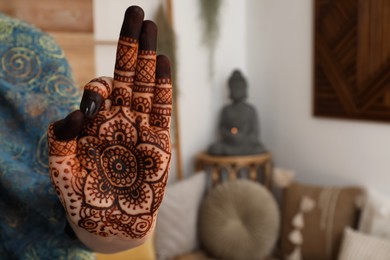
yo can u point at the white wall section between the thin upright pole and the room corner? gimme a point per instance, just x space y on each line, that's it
201 98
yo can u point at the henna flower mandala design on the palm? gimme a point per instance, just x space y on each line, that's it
123 168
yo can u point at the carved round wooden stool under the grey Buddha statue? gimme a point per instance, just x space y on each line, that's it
234 164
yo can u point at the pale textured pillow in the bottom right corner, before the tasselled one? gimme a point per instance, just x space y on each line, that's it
359 246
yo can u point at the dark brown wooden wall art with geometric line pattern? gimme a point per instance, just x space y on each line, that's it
352 59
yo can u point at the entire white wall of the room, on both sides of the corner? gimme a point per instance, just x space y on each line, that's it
271 41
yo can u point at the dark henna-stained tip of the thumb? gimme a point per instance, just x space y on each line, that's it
69 127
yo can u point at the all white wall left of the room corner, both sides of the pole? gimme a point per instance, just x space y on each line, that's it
200 97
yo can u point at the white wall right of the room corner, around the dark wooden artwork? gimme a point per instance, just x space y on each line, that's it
321 151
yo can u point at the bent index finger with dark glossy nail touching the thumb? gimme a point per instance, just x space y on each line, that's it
95 93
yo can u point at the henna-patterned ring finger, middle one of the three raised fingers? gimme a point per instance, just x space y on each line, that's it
145 73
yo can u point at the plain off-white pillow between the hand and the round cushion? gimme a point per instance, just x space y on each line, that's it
176 229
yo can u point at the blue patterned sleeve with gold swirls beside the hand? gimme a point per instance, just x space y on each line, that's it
36 88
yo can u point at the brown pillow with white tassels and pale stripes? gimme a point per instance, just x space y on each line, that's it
314 219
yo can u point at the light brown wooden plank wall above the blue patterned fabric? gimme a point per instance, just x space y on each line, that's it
70 22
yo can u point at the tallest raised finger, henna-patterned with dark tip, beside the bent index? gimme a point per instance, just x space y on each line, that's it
126 56
